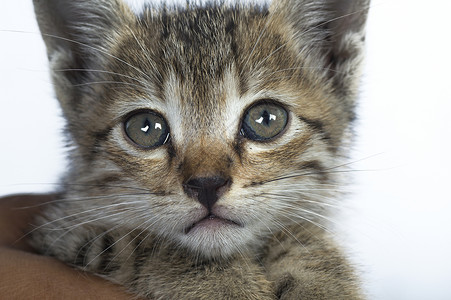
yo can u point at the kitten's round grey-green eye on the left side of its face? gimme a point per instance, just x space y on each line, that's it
147 129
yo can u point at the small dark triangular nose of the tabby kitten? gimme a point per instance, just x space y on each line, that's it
207 190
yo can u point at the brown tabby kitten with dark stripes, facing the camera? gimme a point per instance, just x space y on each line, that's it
204 144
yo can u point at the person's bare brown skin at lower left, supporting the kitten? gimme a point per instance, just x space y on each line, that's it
27 275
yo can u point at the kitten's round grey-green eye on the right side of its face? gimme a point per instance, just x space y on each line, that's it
264 121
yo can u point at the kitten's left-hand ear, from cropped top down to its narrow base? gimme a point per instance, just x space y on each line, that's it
78 35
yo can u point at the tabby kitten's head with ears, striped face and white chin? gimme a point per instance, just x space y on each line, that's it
210 126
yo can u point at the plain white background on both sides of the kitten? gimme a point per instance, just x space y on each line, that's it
397 223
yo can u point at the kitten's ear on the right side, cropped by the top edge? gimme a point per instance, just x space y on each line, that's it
333 28
